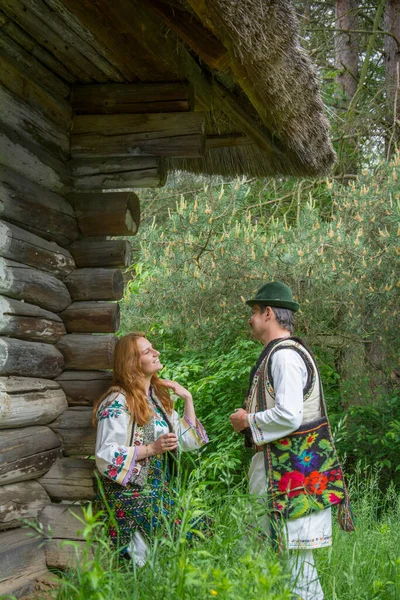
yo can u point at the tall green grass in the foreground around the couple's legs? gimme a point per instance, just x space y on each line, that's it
235 563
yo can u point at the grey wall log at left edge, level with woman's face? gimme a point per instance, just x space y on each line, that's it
29 359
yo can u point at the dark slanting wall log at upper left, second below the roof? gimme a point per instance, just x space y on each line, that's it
58 110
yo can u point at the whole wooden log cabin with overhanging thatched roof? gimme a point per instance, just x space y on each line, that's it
98 96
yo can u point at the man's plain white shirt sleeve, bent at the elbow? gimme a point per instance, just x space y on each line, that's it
289 376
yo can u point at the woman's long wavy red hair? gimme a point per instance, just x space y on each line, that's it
129 379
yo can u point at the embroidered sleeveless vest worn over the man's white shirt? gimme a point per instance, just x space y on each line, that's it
311 391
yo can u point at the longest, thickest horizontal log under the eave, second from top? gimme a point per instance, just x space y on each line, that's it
164 134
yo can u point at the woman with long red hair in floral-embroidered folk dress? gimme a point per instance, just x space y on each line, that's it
138 436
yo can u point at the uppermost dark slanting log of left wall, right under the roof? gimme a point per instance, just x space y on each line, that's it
29 64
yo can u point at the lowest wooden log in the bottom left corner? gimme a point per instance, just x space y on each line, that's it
22 560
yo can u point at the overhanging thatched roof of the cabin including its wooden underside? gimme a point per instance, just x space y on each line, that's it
243 58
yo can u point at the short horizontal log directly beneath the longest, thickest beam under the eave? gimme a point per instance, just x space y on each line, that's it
94 174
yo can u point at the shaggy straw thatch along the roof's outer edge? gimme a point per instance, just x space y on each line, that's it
270 68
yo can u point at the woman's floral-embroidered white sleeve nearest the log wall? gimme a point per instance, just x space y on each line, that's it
115 457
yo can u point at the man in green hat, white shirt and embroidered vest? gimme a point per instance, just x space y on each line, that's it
286 378
